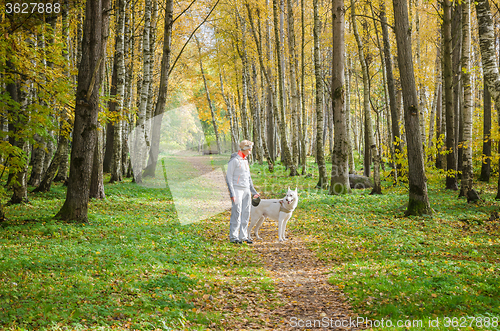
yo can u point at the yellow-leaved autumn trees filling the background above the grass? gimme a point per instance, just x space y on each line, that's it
261 71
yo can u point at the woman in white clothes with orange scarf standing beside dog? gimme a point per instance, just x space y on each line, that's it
240 190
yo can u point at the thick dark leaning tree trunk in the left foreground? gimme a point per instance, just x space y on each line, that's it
95 33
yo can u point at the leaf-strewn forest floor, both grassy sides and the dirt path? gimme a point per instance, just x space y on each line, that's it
135 266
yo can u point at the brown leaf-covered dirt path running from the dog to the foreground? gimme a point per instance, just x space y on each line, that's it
302 281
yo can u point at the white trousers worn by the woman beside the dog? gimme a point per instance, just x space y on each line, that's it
240 214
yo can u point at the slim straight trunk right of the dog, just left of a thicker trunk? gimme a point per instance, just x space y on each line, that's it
320 156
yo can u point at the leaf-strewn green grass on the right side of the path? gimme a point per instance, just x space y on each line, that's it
399 268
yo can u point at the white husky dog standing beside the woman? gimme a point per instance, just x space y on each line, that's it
276 209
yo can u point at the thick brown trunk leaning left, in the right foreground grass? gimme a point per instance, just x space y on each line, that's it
418 203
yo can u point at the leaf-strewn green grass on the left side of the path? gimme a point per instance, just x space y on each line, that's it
134 266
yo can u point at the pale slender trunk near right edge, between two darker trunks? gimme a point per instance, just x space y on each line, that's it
467 109
